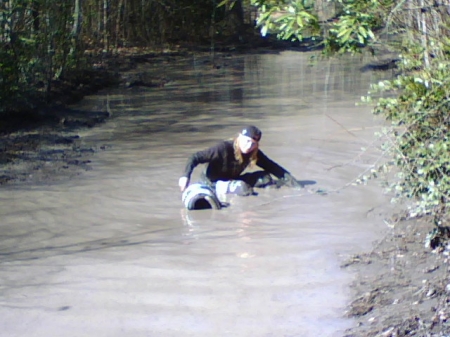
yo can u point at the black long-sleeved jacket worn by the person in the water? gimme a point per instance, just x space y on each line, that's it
222 164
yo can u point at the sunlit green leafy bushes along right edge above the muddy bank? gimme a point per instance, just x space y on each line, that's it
417 103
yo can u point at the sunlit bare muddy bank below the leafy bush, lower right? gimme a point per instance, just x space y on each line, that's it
403 287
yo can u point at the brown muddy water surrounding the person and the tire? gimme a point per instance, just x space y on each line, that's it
113 253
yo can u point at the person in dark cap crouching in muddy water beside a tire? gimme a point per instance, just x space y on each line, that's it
228 159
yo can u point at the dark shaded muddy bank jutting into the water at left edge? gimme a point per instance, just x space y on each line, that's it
38 150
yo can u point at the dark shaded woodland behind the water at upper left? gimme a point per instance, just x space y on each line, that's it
42 41
